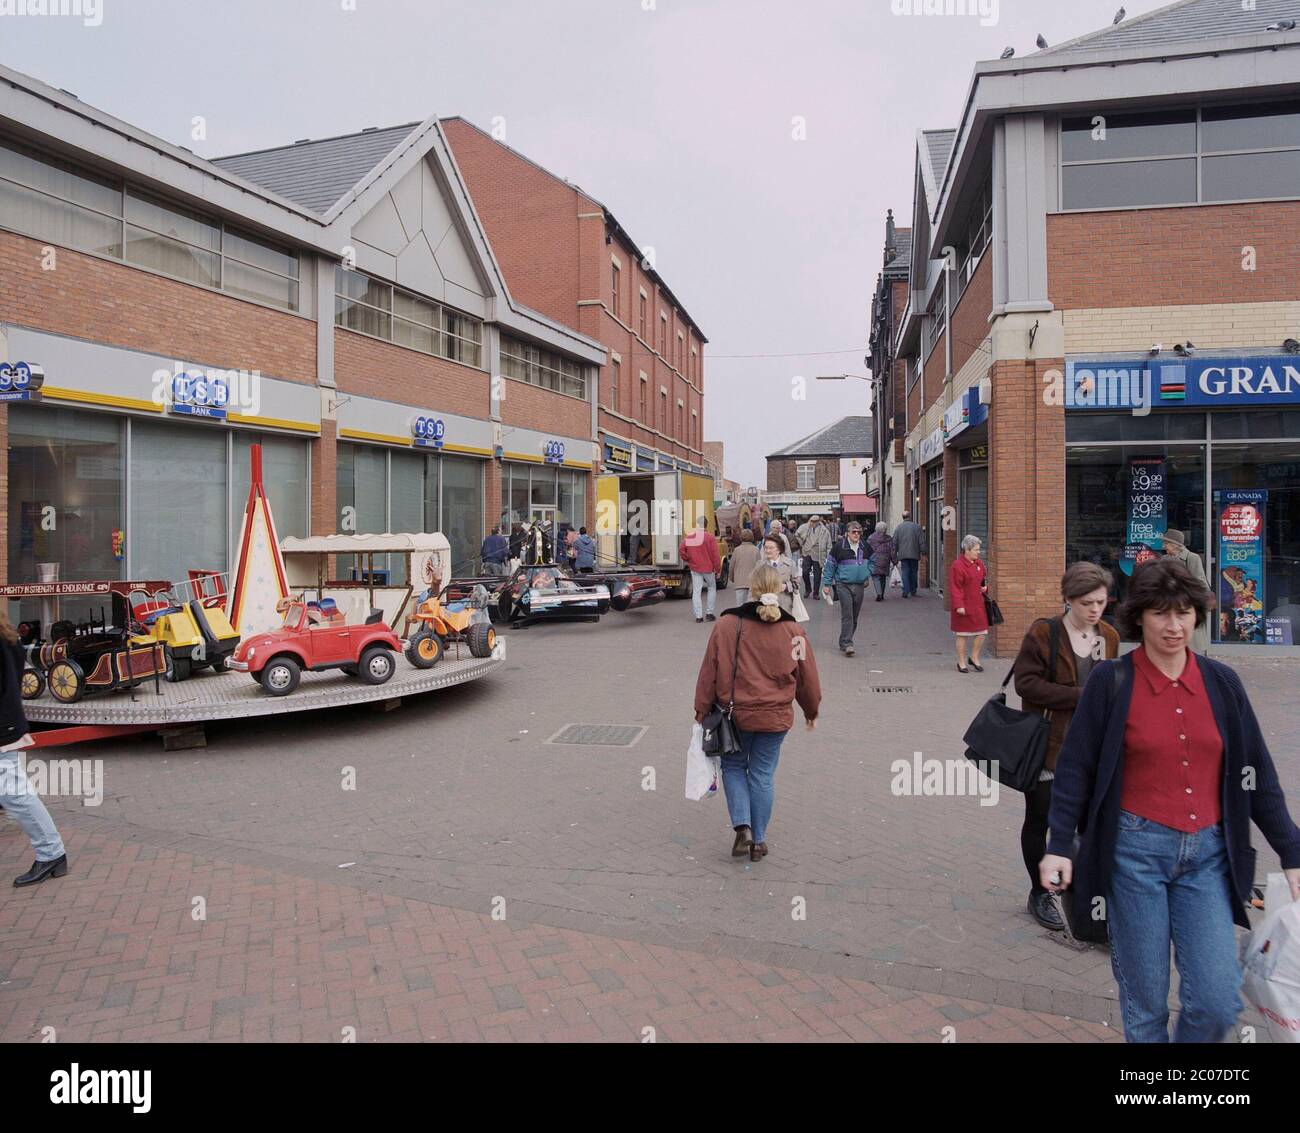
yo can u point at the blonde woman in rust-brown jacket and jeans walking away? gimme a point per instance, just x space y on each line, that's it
773 663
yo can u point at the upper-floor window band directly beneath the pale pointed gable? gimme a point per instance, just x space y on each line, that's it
376 309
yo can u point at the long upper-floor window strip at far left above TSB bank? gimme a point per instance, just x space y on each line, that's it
54 201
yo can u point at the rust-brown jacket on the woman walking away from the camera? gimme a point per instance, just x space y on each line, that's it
774 670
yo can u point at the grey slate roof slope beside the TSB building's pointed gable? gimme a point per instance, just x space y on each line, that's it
318 175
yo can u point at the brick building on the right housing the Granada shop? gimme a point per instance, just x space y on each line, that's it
1100 337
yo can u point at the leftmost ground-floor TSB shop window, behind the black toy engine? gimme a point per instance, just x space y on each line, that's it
67 500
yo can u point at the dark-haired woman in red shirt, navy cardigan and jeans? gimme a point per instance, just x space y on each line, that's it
1163 771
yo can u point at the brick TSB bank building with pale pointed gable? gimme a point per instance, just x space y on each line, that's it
336 301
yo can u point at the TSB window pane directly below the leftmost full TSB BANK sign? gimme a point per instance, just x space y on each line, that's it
179 515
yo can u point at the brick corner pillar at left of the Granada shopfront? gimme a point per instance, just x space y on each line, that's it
1026 492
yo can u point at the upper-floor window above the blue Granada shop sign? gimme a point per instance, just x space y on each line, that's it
1214 154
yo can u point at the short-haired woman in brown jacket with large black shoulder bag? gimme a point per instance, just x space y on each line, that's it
1084 639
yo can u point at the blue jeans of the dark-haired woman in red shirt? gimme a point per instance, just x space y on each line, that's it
1169 887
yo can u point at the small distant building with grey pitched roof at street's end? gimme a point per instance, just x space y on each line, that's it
825 474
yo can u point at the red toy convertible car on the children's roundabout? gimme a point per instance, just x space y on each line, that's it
315 637
